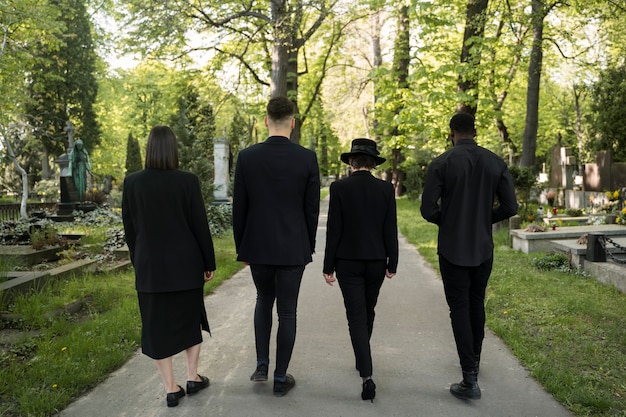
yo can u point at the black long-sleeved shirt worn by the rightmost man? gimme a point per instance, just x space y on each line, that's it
460 190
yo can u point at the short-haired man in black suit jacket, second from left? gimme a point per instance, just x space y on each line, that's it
275 212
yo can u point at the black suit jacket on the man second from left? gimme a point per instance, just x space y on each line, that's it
276 203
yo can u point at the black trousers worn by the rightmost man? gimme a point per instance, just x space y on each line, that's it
465 293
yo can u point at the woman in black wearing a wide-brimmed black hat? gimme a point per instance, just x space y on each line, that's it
361 247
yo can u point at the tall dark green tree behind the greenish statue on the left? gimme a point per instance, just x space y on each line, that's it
63 86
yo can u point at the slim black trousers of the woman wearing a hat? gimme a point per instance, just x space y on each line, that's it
360 283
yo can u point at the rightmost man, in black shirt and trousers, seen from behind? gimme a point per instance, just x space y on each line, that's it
459 193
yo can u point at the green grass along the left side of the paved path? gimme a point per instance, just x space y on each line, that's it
67 355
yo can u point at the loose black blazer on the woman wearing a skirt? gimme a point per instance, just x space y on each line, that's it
166 230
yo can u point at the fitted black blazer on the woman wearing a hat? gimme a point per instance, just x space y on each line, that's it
362 222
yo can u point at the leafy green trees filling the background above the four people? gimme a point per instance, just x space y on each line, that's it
531 71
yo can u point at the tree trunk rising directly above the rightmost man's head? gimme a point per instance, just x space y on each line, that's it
475 16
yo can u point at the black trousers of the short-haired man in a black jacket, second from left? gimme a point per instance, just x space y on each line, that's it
280 283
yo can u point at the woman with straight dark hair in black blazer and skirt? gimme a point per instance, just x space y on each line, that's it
171 249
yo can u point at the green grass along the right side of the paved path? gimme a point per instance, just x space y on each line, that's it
566 328
